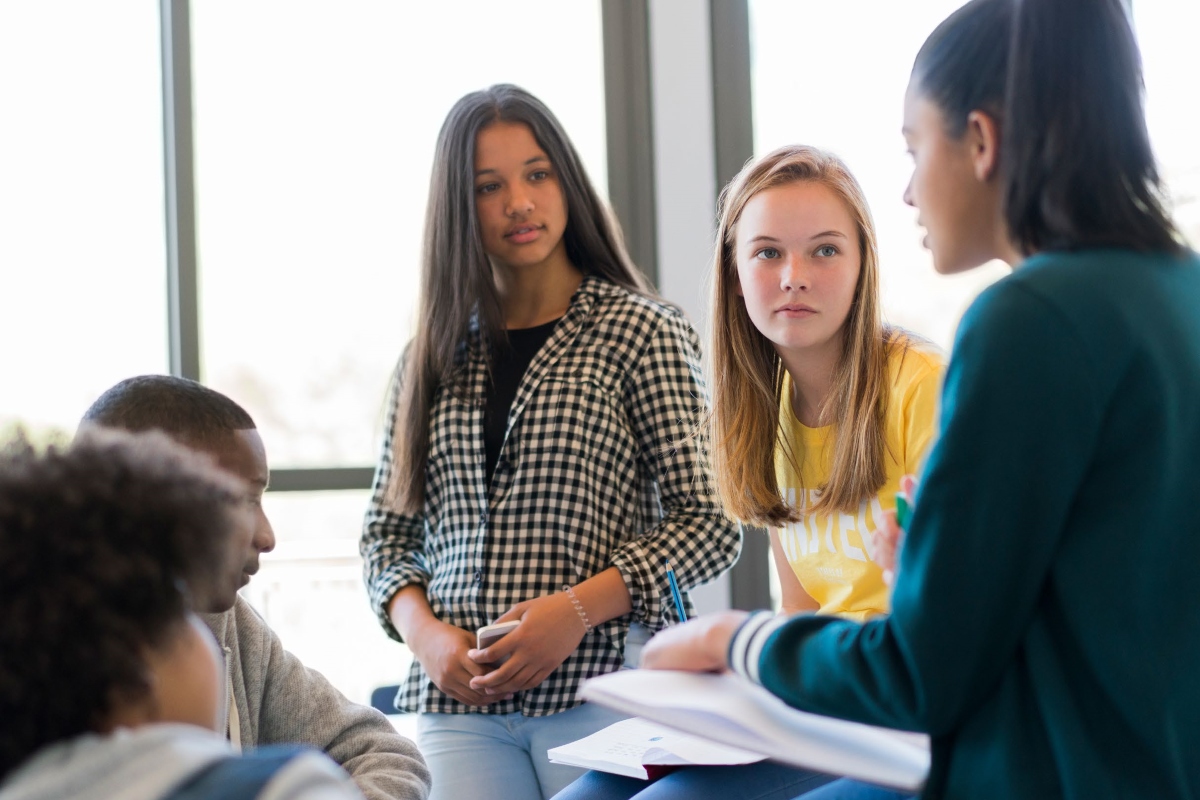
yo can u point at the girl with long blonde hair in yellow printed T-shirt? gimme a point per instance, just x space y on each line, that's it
819 411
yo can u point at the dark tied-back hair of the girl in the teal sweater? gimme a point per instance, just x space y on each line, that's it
1064 79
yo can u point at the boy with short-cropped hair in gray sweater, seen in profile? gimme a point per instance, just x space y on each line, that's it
273 699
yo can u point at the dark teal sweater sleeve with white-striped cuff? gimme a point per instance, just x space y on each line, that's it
1021 417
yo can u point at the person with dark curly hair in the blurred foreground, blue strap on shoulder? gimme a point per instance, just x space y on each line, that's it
110 684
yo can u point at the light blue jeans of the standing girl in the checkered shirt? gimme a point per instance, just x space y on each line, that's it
503 756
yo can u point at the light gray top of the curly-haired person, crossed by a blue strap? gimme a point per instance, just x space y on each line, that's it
148 762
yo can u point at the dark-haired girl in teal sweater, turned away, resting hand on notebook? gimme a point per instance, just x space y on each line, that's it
1045 618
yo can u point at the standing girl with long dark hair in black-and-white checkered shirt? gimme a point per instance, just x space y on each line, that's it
538 465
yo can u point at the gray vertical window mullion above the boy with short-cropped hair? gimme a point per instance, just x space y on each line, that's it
183 291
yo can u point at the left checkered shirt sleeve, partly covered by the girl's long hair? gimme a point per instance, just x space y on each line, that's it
393 545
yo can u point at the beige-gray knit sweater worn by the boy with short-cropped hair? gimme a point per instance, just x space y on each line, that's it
299 706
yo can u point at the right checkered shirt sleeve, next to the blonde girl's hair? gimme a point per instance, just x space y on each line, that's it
665 401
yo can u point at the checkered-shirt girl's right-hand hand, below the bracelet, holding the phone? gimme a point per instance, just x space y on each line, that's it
550 631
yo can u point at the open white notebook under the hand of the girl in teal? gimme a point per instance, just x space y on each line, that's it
731 711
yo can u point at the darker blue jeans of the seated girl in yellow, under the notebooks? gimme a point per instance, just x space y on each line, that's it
760 781
